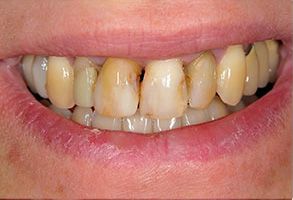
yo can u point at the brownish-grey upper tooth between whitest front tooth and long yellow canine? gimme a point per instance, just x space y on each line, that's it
201 80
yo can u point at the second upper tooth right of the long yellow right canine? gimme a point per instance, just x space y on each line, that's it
263 63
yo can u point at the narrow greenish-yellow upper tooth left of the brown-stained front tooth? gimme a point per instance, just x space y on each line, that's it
85 76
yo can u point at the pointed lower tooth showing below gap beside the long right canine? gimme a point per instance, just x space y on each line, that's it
217 109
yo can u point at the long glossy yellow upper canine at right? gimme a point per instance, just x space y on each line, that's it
231 74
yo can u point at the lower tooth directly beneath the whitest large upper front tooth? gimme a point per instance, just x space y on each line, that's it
166 124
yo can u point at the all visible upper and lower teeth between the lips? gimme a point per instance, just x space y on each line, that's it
154 95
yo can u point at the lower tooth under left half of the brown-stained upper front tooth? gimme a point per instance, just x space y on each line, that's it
107 123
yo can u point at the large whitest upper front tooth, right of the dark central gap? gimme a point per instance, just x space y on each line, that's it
163 90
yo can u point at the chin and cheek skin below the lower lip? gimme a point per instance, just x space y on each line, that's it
30 168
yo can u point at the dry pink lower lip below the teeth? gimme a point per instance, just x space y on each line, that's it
201 142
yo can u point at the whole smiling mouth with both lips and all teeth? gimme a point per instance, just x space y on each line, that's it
187 118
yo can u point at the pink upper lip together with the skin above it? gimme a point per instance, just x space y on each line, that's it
152 33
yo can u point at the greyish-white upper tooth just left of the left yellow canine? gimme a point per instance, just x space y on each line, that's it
39 69
